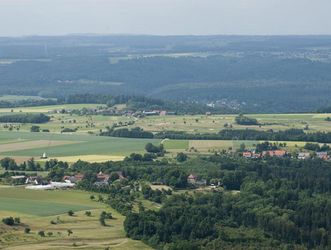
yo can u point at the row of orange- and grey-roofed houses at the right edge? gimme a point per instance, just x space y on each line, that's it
284 153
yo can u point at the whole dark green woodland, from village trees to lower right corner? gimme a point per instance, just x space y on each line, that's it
269 203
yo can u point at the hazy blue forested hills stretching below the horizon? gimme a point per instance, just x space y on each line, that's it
253 74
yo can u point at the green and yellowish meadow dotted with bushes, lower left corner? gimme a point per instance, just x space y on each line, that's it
37 208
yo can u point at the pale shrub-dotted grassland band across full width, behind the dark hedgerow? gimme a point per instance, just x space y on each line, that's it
188 123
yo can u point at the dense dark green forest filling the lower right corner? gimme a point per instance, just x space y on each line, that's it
282 204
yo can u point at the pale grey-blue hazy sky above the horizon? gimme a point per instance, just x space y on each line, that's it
164 17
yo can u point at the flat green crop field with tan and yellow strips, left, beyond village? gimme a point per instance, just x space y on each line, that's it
60 145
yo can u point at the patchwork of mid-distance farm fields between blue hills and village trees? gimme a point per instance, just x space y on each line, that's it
17 141
